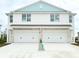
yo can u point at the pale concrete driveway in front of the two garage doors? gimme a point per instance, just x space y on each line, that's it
30 50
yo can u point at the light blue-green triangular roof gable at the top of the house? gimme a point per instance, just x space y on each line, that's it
40 7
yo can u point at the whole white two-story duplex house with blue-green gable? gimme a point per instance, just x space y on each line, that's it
40 20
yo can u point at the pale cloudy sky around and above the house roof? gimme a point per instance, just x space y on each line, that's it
10 5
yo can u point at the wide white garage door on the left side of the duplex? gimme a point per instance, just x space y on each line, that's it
26 35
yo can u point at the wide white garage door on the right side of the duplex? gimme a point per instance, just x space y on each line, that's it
55 36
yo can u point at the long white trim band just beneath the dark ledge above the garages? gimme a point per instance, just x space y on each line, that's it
37 27
